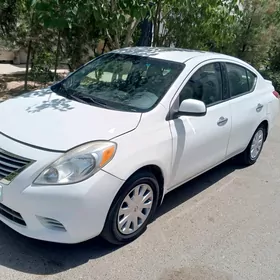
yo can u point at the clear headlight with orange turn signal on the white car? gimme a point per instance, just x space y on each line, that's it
78 164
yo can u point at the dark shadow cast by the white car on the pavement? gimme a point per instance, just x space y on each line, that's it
37 257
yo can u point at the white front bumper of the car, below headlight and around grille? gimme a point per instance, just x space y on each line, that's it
63 214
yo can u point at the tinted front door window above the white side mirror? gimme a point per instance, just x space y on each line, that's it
204 85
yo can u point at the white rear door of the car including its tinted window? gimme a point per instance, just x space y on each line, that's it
247 105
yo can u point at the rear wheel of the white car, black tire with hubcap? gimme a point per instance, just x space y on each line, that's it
247 157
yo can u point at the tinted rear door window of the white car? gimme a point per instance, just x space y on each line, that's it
241 80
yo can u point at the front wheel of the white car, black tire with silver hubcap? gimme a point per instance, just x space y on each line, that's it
119 233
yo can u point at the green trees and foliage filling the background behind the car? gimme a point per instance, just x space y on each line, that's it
55 31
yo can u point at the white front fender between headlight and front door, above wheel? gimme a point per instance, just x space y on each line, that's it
140 148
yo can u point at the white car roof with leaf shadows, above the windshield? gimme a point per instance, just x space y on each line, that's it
172 54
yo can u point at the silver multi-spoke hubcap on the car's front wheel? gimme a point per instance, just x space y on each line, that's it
135 209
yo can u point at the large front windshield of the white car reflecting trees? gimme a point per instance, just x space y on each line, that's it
121 82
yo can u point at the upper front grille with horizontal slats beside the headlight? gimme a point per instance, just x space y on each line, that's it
11 165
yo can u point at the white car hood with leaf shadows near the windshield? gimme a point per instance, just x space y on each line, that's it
46 120
